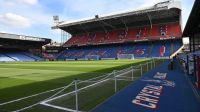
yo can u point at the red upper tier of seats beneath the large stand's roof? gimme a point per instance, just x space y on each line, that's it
131 34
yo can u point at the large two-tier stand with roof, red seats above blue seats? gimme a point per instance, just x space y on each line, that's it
142 33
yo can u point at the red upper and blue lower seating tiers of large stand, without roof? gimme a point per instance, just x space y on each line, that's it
140 50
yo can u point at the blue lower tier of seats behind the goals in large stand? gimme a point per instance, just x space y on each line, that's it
140 50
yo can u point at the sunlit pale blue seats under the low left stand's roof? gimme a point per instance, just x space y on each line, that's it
18 56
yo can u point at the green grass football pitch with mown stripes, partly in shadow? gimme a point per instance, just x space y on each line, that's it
22 79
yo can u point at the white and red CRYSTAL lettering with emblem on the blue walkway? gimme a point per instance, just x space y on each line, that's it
149 96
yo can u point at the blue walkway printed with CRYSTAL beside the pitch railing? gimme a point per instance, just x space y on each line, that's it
159 90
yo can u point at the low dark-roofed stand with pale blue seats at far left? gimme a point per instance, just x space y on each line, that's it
21 48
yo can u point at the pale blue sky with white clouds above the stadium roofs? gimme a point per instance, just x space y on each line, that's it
35 17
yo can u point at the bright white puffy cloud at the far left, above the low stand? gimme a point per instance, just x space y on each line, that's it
15 20
